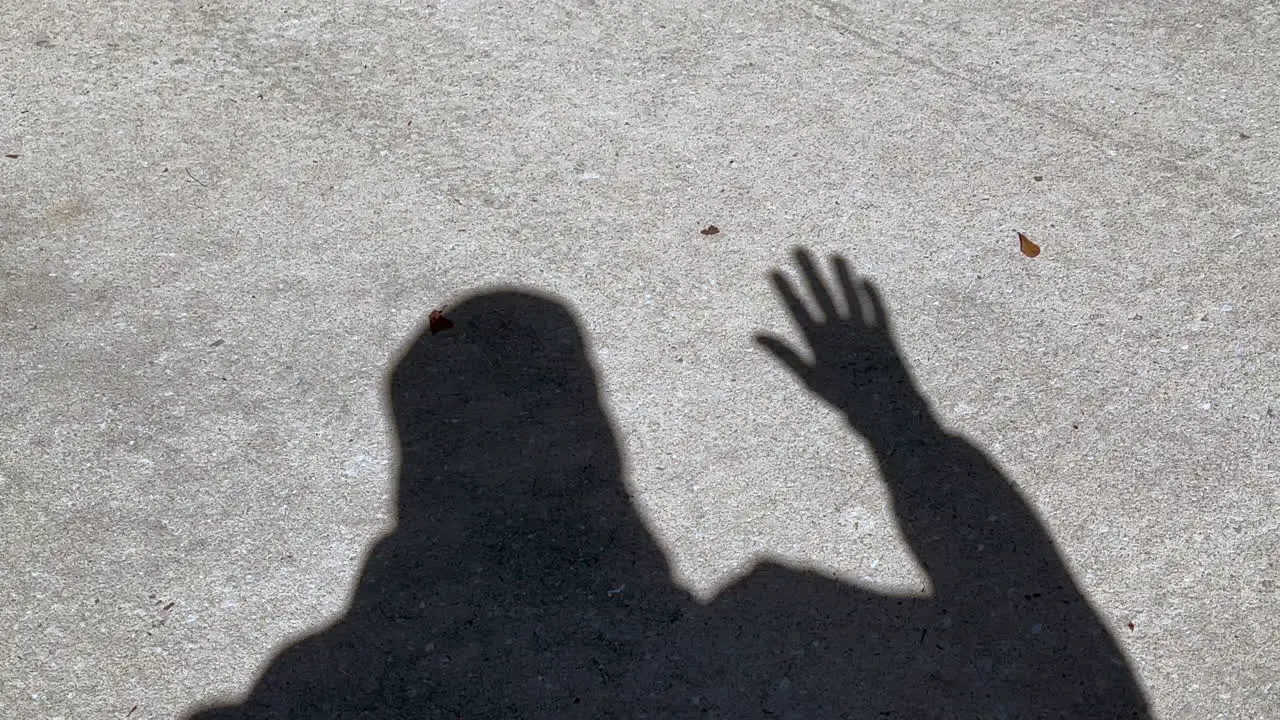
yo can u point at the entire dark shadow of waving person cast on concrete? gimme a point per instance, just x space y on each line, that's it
520 582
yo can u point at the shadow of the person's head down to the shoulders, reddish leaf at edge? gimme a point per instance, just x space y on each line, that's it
505 443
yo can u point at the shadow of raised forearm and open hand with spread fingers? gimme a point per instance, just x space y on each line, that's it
966 522
